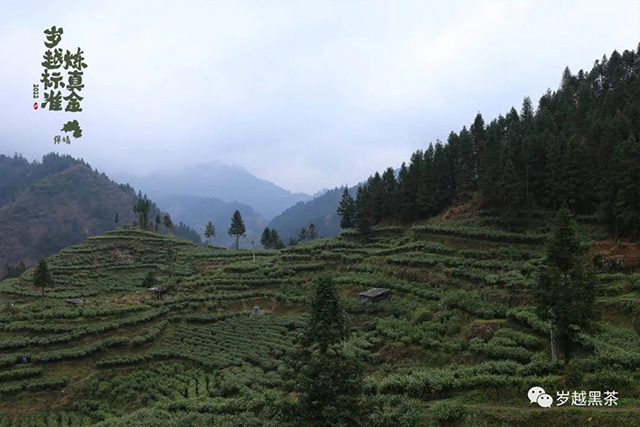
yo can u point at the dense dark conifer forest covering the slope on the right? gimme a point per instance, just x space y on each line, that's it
579 148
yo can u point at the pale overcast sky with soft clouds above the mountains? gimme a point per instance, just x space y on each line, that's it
307 94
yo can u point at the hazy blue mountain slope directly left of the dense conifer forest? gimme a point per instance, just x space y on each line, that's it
321 211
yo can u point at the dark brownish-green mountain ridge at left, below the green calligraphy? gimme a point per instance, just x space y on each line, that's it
47 206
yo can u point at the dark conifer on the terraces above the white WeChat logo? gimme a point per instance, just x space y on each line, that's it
566 288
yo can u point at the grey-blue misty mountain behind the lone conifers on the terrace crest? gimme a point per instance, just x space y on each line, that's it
197 211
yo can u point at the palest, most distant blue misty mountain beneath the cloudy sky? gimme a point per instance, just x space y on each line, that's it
224 182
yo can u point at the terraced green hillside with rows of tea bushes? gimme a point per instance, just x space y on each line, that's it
458 343
